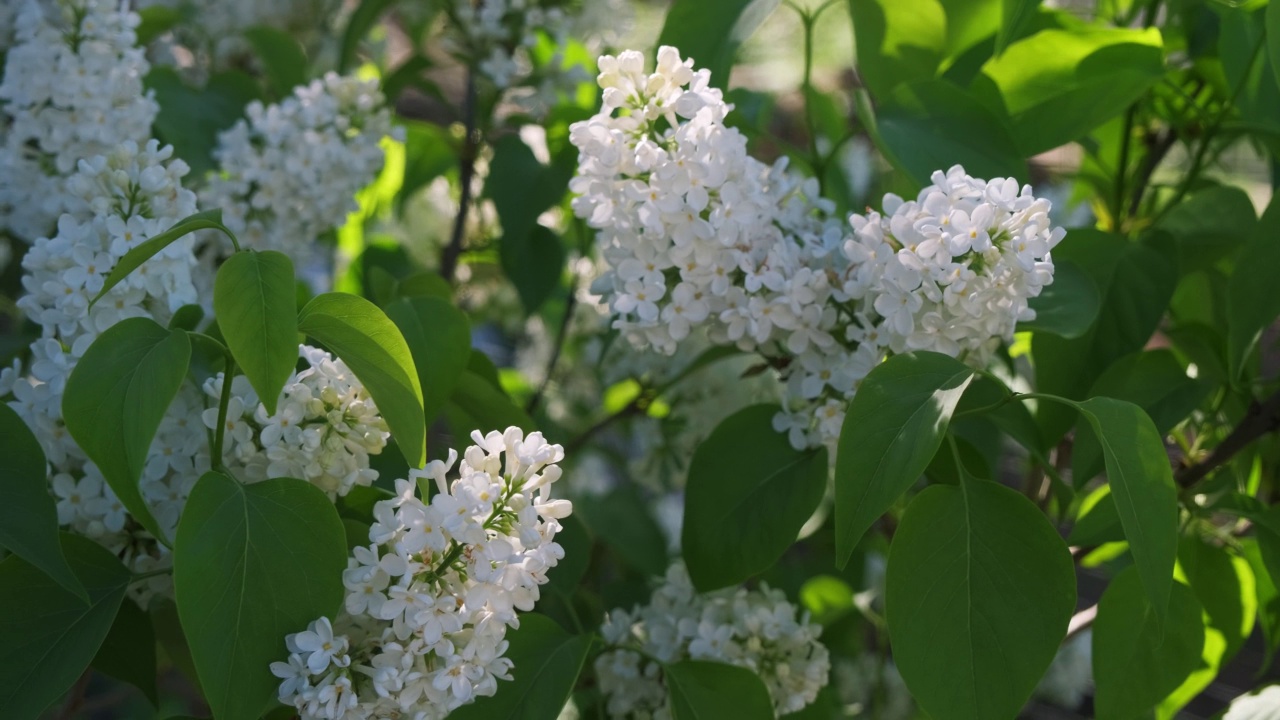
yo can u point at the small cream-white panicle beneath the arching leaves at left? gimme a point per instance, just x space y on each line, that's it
324 429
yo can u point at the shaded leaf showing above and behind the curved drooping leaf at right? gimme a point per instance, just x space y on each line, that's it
1154 381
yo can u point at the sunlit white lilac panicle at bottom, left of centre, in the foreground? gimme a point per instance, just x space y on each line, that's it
429 600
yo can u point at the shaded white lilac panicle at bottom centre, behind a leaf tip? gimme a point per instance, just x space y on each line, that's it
755 630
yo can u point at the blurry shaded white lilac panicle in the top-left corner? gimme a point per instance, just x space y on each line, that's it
72 90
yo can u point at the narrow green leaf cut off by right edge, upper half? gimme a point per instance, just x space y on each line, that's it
1252 303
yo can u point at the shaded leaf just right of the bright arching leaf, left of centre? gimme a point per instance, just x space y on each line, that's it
440 338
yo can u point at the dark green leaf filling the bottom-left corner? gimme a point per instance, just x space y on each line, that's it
48 636
